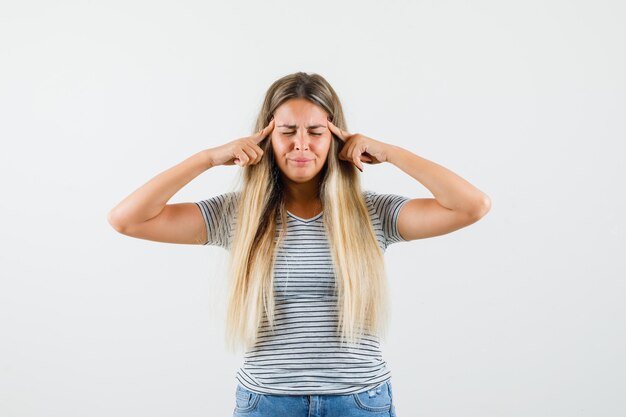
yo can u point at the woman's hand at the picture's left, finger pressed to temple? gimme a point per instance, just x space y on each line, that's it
243 151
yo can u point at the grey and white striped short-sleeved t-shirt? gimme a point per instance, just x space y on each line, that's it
304 356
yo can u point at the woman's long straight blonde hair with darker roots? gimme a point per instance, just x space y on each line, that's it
360 284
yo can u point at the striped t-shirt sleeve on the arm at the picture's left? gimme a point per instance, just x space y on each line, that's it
218 214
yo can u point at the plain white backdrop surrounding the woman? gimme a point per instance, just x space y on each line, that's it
520 314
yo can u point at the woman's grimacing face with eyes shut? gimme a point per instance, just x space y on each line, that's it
300 133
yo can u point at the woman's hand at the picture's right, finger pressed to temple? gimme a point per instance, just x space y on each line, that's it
359 148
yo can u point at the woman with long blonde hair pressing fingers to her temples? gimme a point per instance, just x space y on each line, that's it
308 301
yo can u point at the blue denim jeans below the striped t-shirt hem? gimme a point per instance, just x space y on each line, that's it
376 402
